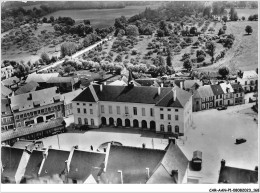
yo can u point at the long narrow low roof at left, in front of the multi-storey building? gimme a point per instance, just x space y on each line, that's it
22 131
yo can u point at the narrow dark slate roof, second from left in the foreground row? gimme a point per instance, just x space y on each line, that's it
34 164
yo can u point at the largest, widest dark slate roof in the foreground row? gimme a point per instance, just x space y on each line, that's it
132 162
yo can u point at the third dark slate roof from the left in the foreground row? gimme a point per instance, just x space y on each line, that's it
55 162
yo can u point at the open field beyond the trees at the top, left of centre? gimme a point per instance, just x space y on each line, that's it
100 17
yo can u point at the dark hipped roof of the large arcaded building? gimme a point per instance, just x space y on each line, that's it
135 94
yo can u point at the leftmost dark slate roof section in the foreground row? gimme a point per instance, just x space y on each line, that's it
10 158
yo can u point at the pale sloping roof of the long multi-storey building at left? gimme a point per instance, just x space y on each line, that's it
42 97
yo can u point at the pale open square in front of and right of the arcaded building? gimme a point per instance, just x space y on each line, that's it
214 133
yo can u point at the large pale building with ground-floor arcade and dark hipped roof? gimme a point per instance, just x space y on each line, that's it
166 110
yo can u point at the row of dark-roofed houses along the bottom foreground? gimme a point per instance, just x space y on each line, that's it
31 161
